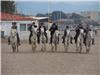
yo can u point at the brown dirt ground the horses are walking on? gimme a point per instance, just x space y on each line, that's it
50 63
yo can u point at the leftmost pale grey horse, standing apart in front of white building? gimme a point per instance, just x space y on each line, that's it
13 40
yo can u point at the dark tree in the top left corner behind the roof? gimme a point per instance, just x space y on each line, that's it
8 7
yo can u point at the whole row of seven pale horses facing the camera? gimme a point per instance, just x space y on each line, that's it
55 40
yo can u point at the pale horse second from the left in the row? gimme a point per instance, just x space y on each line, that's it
34 38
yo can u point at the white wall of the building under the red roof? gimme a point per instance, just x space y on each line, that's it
6 26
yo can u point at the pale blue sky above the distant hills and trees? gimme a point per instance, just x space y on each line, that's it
34 7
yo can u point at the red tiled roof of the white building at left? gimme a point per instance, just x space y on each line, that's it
10 17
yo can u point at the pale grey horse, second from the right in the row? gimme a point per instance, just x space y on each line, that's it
80 40
